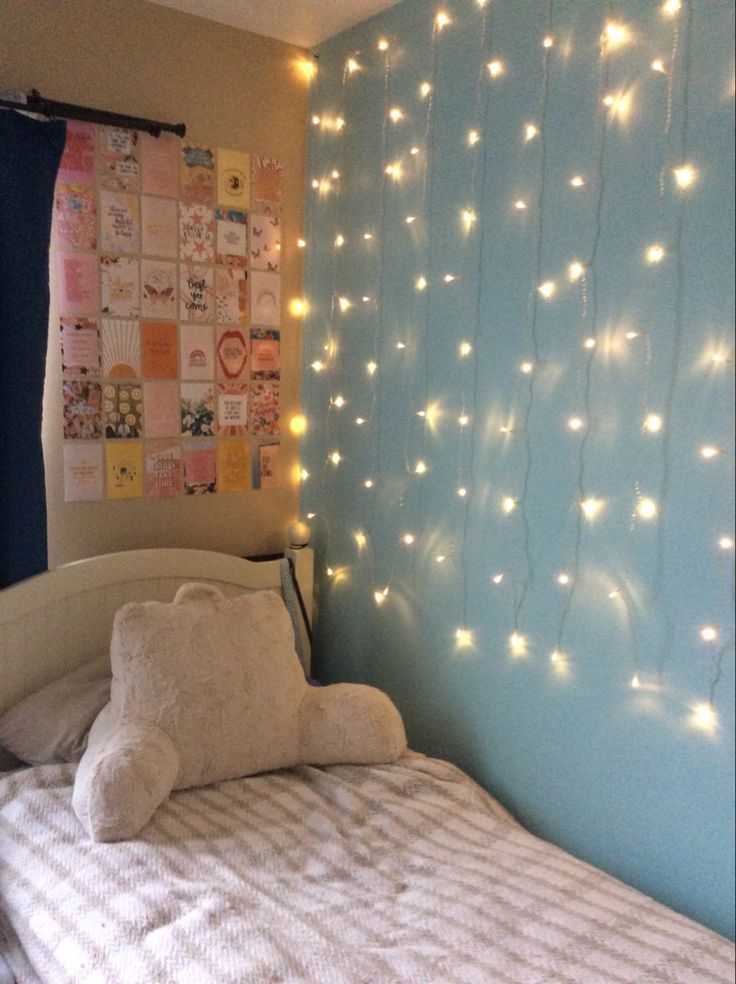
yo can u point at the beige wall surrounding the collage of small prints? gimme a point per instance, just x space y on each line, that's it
232 89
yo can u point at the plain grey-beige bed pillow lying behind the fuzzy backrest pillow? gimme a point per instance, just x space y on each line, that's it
52 725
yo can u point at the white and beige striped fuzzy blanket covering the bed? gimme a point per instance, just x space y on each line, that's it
344 875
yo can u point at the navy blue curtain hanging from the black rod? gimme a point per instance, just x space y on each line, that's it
30 152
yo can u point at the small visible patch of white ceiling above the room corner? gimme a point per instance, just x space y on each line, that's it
302 22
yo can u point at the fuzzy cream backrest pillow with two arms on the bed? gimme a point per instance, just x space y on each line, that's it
209 688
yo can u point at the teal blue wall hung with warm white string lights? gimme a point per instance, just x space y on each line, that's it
627 777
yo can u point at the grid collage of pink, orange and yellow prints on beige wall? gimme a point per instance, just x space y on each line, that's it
169 297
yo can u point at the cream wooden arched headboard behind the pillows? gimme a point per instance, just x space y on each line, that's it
52 623
